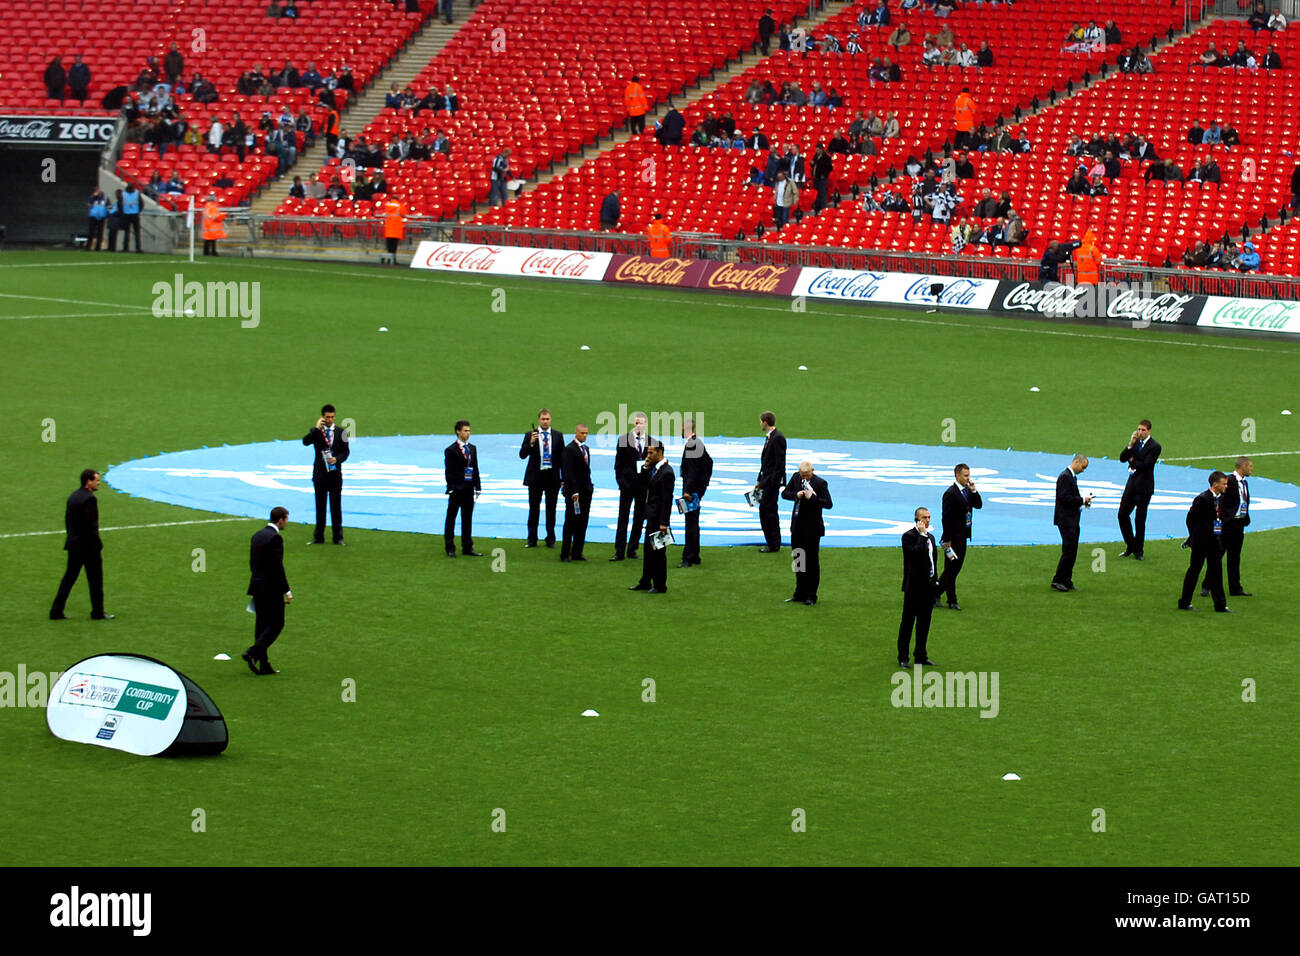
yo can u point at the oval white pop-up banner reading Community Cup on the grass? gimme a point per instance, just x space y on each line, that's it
135 704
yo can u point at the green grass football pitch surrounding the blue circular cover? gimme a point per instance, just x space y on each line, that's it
470 685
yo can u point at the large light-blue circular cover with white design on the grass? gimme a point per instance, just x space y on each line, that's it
398 485
